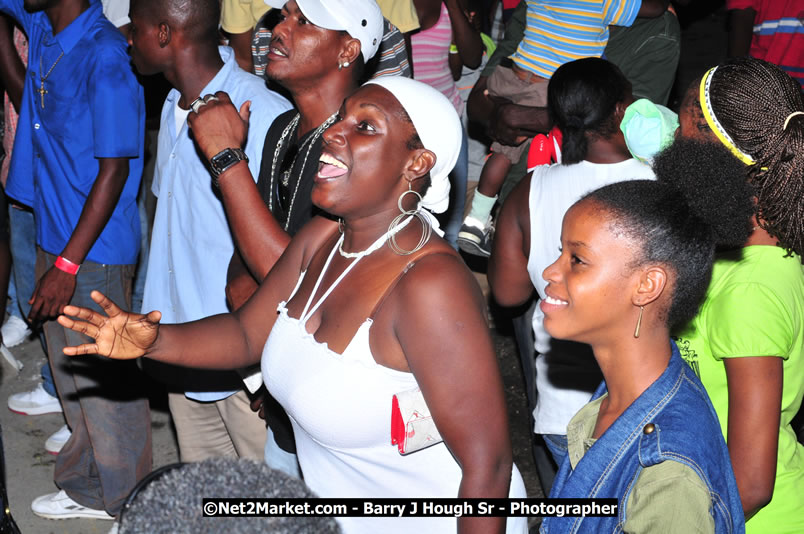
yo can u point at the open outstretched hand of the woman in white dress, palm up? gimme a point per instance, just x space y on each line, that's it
118 334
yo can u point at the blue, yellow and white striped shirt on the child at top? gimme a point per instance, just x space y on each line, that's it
560 31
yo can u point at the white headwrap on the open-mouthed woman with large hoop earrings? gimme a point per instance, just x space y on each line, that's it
439 128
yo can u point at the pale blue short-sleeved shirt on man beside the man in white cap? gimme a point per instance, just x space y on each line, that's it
191 243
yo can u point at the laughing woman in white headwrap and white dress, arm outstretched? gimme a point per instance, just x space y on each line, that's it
359 320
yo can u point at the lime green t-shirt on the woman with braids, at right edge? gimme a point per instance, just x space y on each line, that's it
754 306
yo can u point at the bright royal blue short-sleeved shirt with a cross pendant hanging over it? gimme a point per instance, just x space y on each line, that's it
93 108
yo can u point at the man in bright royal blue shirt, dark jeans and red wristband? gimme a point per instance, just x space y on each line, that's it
77 161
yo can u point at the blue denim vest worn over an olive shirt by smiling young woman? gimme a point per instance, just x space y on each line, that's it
672 420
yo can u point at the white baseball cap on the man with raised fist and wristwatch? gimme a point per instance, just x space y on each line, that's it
362 19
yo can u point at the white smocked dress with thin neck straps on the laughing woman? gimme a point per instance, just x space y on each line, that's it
340 408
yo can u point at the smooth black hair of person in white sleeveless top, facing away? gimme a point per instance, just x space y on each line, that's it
582 98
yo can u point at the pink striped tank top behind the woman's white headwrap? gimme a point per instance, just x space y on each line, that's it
431 58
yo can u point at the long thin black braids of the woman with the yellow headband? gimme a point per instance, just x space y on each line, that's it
752 99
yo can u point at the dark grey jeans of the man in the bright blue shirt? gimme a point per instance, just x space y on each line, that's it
110 446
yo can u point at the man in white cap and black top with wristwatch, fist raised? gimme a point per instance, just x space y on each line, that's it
317 53
